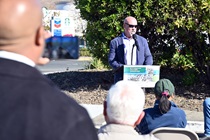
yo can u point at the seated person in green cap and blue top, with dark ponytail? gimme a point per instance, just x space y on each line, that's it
164 113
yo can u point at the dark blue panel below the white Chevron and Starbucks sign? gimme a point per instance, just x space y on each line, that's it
59 47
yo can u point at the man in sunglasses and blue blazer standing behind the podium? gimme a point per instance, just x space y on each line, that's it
128 49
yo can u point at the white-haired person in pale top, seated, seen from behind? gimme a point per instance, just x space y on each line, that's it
123 110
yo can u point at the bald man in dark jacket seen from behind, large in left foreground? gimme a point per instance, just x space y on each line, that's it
31 106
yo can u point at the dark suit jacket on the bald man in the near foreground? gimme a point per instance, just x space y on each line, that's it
33 108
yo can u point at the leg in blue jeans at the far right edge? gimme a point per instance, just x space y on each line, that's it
206 113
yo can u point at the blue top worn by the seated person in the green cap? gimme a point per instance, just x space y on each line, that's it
153 118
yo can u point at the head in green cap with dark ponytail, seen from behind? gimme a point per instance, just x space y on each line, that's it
163 90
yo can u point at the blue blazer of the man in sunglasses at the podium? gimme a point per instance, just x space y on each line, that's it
116 55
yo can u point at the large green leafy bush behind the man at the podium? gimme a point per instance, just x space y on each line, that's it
166 24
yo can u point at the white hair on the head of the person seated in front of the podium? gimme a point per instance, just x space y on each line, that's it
125 102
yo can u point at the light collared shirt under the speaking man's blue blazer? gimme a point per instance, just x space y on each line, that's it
129 50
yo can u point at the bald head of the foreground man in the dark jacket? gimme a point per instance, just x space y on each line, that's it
20 20
